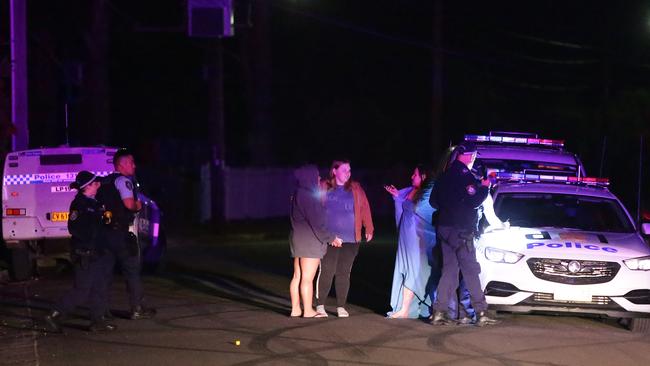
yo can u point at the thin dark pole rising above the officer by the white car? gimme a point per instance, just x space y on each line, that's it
437 99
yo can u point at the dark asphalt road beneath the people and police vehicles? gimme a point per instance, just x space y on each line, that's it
217 291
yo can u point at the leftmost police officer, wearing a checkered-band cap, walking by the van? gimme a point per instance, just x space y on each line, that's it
89 255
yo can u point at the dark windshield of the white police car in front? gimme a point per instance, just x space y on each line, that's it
562 210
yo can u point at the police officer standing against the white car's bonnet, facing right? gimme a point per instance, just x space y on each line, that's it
458 195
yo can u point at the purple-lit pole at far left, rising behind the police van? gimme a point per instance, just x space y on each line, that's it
18 20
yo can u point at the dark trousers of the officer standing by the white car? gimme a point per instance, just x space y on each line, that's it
458 256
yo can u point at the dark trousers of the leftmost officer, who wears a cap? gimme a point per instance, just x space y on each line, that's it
89 284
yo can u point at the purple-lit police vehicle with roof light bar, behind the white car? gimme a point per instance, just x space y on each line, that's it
524 152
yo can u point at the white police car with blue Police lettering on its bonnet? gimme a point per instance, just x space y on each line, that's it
572 248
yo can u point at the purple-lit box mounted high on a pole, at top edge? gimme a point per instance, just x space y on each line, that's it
210 18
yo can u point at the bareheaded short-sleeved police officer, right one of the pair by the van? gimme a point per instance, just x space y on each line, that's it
119 196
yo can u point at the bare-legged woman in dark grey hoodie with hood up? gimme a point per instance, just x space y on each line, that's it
308 240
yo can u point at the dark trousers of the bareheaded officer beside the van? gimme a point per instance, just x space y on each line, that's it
129 265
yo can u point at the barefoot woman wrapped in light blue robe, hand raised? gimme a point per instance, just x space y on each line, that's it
413 284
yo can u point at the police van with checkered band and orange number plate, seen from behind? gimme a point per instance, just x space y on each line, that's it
36 198
